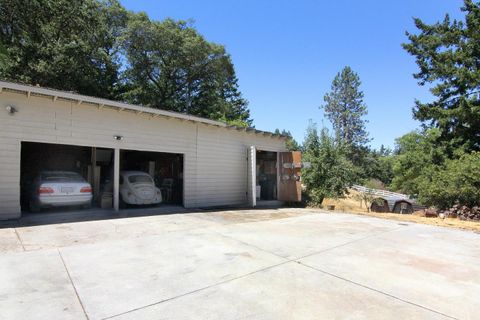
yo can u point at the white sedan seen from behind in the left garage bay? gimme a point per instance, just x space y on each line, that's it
58 189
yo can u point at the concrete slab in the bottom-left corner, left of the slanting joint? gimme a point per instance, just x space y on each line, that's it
34 285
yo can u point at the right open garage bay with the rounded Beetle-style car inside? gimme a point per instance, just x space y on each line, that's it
150 178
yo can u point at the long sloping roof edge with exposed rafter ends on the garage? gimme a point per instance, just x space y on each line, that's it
121 106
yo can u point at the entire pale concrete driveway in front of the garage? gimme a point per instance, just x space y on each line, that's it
259 264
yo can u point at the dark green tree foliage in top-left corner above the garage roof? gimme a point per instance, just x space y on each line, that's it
66 45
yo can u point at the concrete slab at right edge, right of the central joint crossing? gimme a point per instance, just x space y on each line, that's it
434 267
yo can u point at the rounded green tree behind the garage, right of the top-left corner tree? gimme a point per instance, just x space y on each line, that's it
171 66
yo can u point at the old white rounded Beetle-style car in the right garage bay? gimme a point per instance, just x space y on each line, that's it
138 188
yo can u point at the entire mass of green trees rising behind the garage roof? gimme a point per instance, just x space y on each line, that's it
97 48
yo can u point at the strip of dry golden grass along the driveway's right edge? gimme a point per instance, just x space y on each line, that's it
352 205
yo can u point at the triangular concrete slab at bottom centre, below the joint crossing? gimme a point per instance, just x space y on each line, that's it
288 291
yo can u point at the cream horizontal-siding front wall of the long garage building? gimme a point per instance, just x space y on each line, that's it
215 171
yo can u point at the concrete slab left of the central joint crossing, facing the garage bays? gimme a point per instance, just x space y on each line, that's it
114 277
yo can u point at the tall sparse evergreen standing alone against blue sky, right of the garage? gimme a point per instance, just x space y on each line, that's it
345 109
